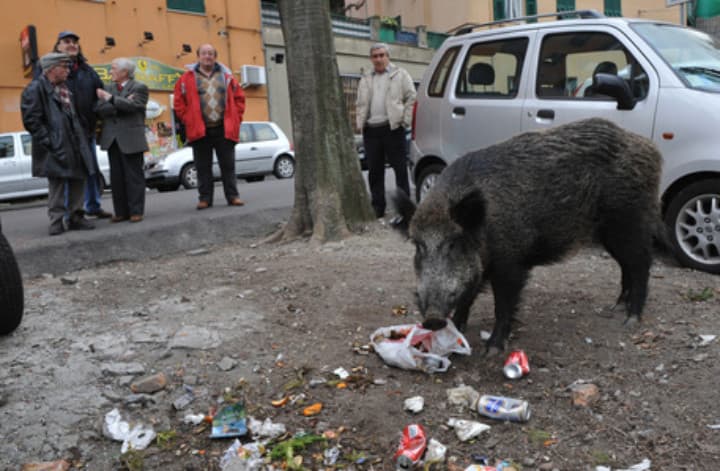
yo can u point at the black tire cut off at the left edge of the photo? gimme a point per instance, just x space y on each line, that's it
11 289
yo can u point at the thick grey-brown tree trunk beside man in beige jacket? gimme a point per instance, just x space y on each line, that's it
331 199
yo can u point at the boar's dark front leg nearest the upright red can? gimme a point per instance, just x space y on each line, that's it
507 283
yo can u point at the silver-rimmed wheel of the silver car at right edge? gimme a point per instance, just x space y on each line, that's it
693 223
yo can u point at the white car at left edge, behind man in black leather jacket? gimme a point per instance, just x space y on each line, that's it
16 180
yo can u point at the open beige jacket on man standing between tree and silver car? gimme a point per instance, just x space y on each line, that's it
399 98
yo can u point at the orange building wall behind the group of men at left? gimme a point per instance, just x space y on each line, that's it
237 21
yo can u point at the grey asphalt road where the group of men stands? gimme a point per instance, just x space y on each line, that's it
171 225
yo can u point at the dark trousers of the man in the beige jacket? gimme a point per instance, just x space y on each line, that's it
385 146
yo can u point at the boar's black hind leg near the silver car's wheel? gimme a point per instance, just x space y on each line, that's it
631 248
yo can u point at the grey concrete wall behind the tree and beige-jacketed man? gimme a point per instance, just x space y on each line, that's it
352 58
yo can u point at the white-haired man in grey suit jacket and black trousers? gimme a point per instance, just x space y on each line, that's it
122 109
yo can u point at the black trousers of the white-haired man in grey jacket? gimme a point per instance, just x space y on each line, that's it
128 182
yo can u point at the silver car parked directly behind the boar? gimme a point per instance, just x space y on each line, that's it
484 87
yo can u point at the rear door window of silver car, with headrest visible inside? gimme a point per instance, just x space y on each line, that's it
492 69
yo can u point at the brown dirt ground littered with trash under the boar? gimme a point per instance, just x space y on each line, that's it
270 319
